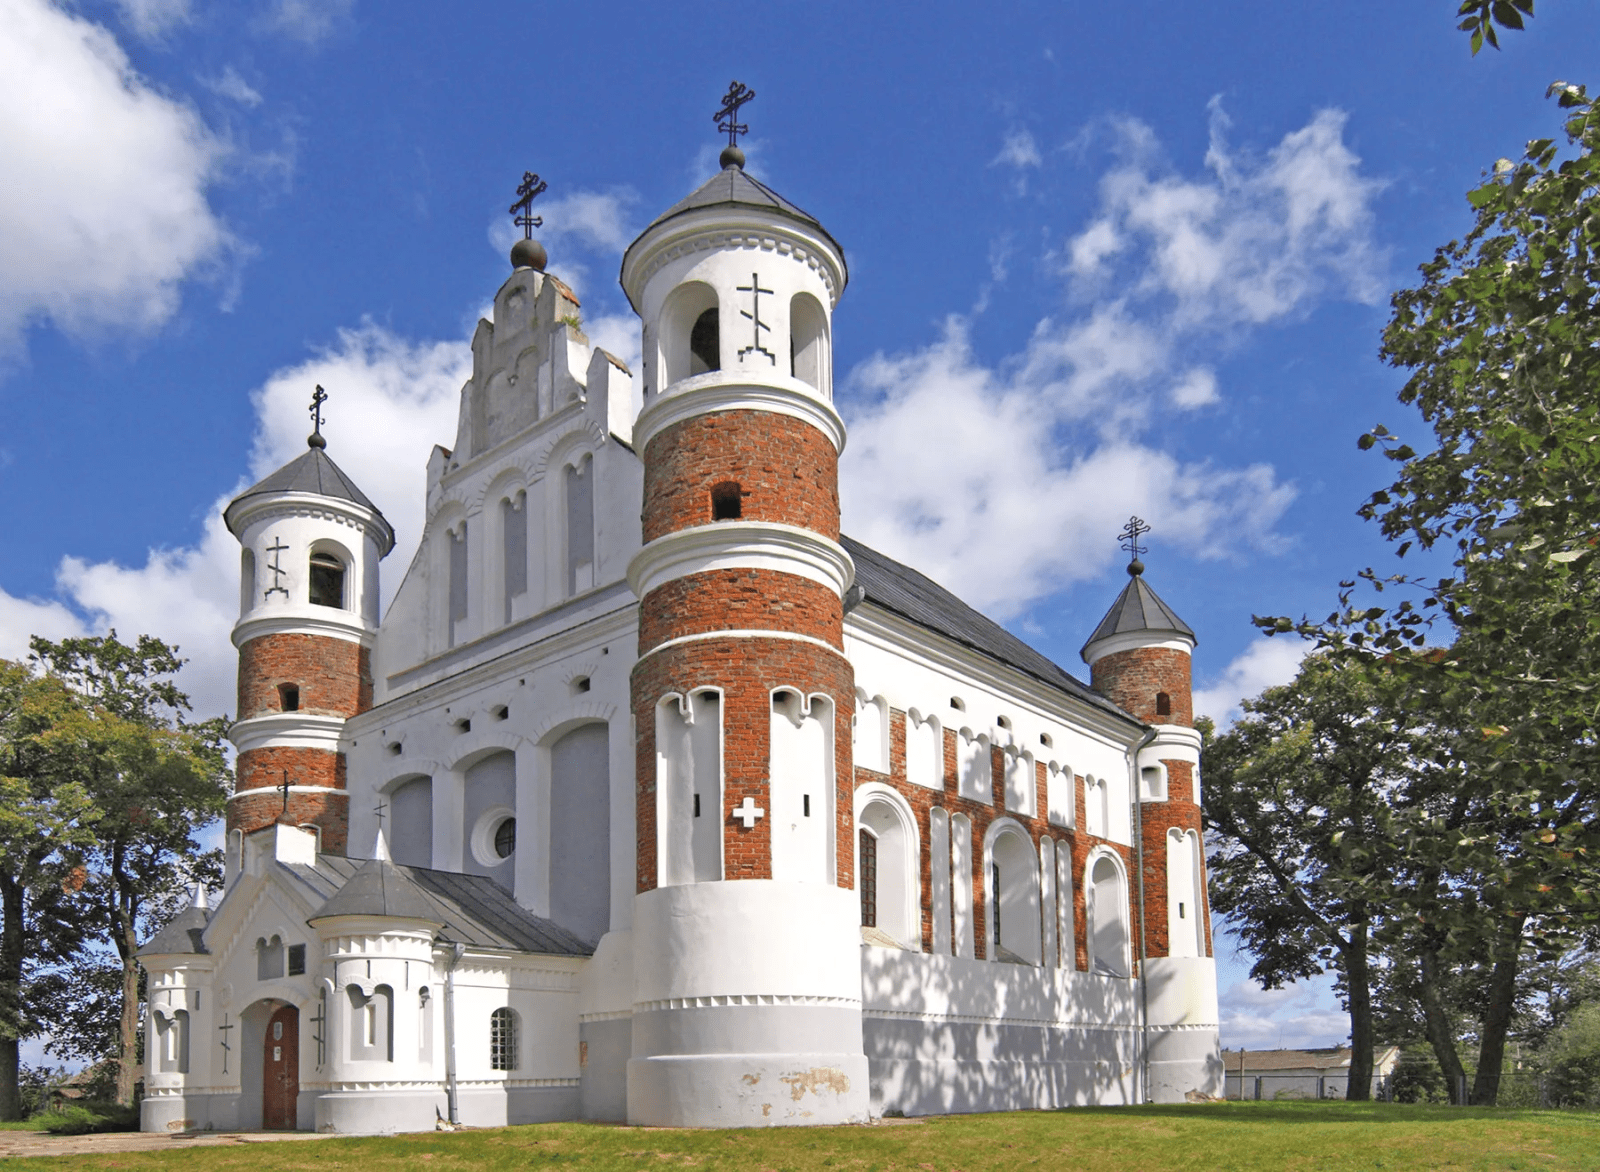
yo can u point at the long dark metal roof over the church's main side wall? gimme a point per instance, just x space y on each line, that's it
911 595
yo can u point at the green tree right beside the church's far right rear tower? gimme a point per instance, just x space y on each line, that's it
1303 803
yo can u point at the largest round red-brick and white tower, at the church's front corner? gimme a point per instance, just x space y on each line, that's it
746 929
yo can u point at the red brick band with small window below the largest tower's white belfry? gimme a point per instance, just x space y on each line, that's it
786 470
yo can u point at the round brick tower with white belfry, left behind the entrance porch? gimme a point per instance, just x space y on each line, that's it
305 633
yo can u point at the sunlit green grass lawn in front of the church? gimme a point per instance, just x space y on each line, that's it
1236 1136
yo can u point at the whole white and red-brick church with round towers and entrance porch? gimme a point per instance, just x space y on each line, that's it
657 800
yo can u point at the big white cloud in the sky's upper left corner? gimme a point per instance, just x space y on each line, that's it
103 214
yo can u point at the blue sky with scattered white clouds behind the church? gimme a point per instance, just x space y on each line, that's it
1103 260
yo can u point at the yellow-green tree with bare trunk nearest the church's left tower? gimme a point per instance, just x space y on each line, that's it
154 781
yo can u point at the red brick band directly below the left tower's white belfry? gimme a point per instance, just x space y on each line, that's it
335 676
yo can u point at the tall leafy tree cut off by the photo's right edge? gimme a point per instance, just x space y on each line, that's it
1502 340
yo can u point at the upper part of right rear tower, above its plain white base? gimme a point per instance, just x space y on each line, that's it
1140 659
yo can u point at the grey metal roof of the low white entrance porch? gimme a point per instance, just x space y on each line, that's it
473 910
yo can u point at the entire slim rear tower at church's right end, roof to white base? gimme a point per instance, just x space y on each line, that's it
1140 657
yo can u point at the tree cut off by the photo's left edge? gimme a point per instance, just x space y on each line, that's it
42 827
